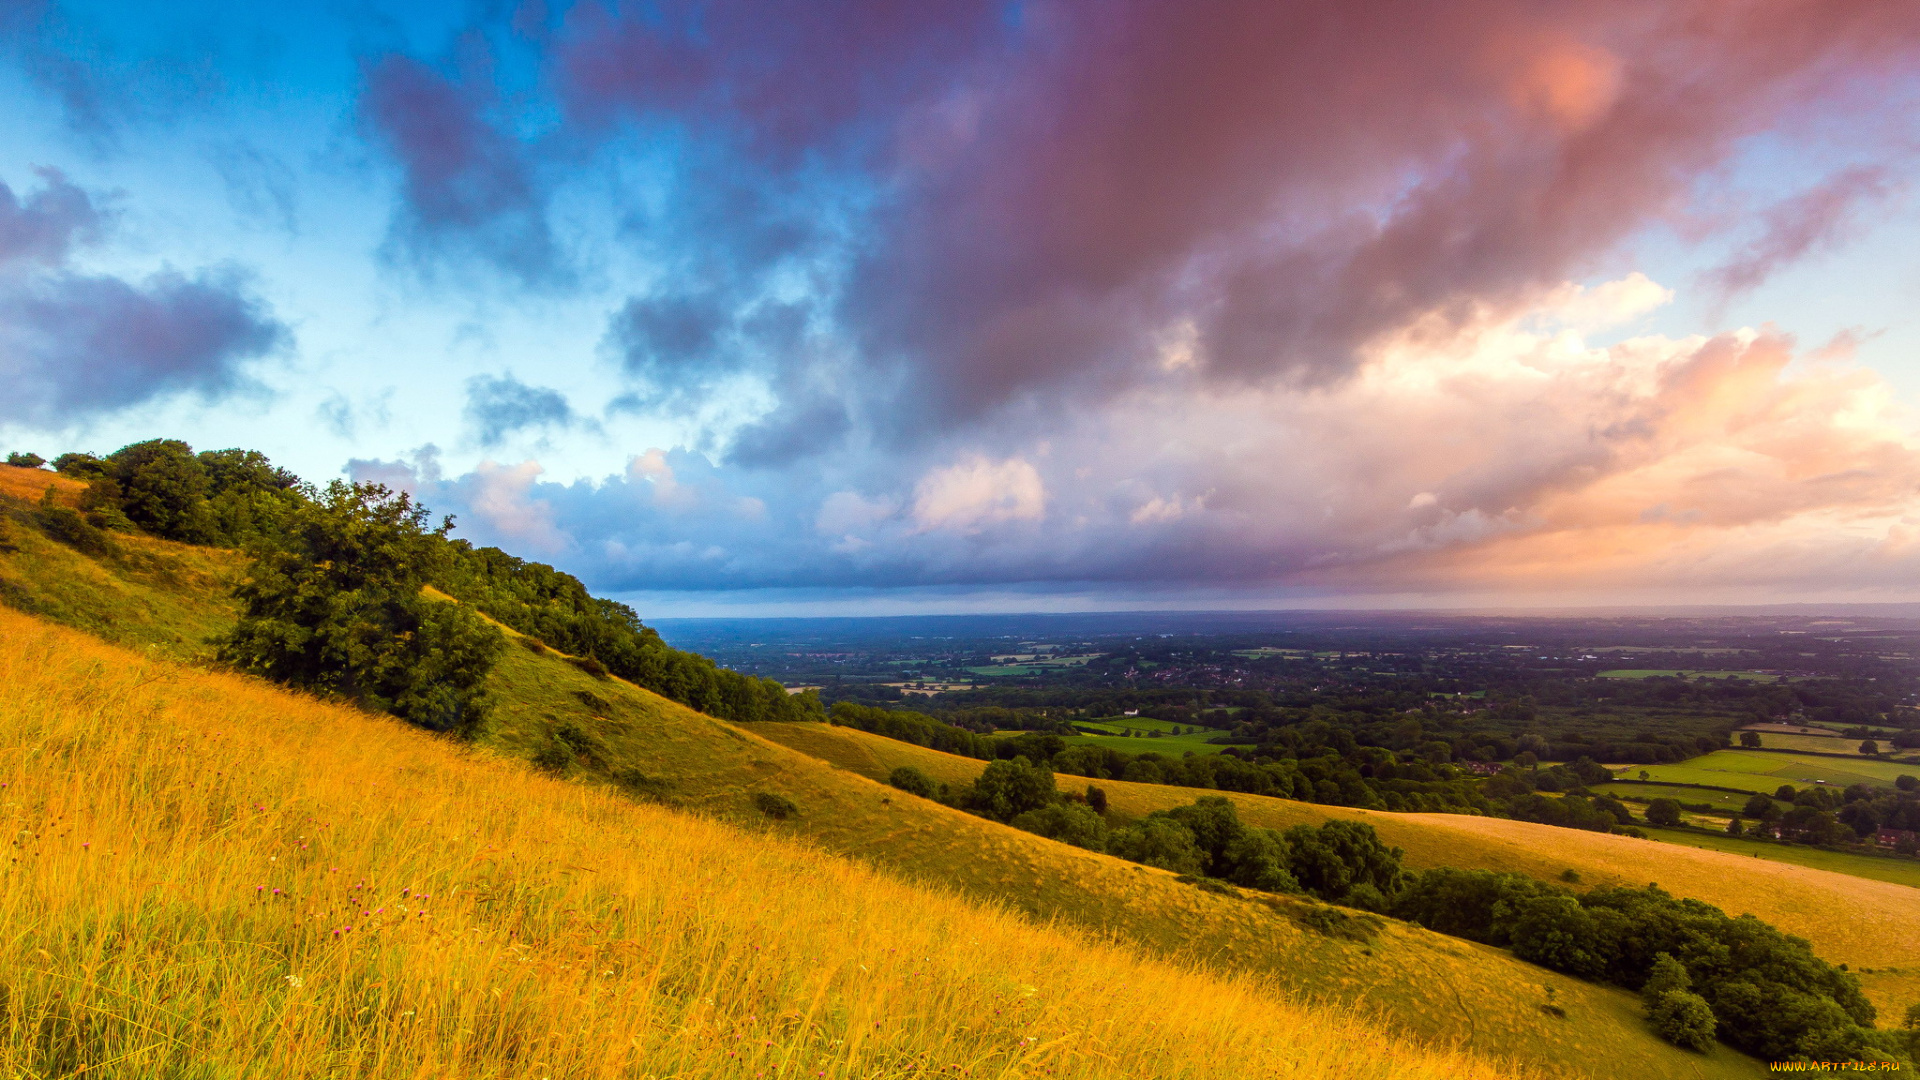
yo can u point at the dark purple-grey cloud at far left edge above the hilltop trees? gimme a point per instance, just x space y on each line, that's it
76 345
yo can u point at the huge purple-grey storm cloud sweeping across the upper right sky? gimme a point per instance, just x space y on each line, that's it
1059 185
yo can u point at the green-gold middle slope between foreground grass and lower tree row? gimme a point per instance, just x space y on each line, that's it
1443 989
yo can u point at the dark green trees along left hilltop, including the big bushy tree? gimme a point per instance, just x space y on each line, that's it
337 595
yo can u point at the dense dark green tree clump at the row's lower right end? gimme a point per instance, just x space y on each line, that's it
1702 973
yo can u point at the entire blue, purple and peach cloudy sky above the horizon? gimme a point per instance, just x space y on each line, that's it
865 307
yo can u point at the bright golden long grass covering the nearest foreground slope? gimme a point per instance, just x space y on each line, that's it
218 879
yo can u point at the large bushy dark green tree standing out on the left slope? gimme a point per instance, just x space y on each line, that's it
341 610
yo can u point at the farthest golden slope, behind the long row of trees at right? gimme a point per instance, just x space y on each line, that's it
1856 921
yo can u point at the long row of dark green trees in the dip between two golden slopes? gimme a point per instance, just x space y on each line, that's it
1702 975
